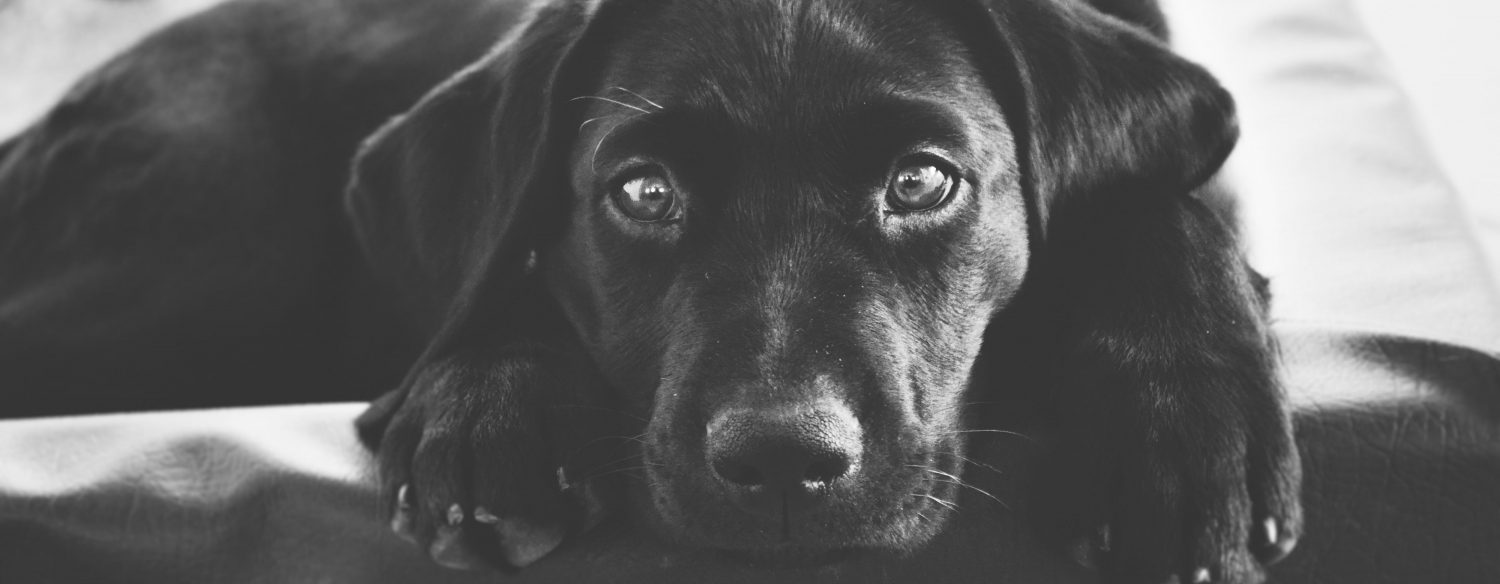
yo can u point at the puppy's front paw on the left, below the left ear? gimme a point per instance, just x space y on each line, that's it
478 459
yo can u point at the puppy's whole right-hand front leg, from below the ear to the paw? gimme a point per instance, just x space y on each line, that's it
1172 397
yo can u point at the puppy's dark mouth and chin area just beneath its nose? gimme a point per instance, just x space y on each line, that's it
895 510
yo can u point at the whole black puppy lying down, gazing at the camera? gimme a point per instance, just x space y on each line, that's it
761 248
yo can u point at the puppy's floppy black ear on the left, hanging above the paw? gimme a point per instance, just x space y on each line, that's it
448 200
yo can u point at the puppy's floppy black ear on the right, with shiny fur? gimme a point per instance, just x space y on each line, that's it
1108 110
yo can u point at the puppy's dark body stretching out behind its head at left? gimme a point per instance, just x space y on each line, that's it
175 224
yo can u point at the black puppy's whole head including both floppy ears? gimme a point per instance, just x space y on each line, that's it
782 227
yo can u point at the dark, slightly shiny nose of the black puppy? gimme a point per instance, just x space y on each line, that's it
784 459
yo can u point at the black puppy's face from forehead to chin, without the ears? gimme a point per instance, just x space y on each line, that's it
791 224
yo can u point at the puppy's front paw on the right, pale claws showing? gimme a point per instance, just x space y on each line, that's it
1196 486
